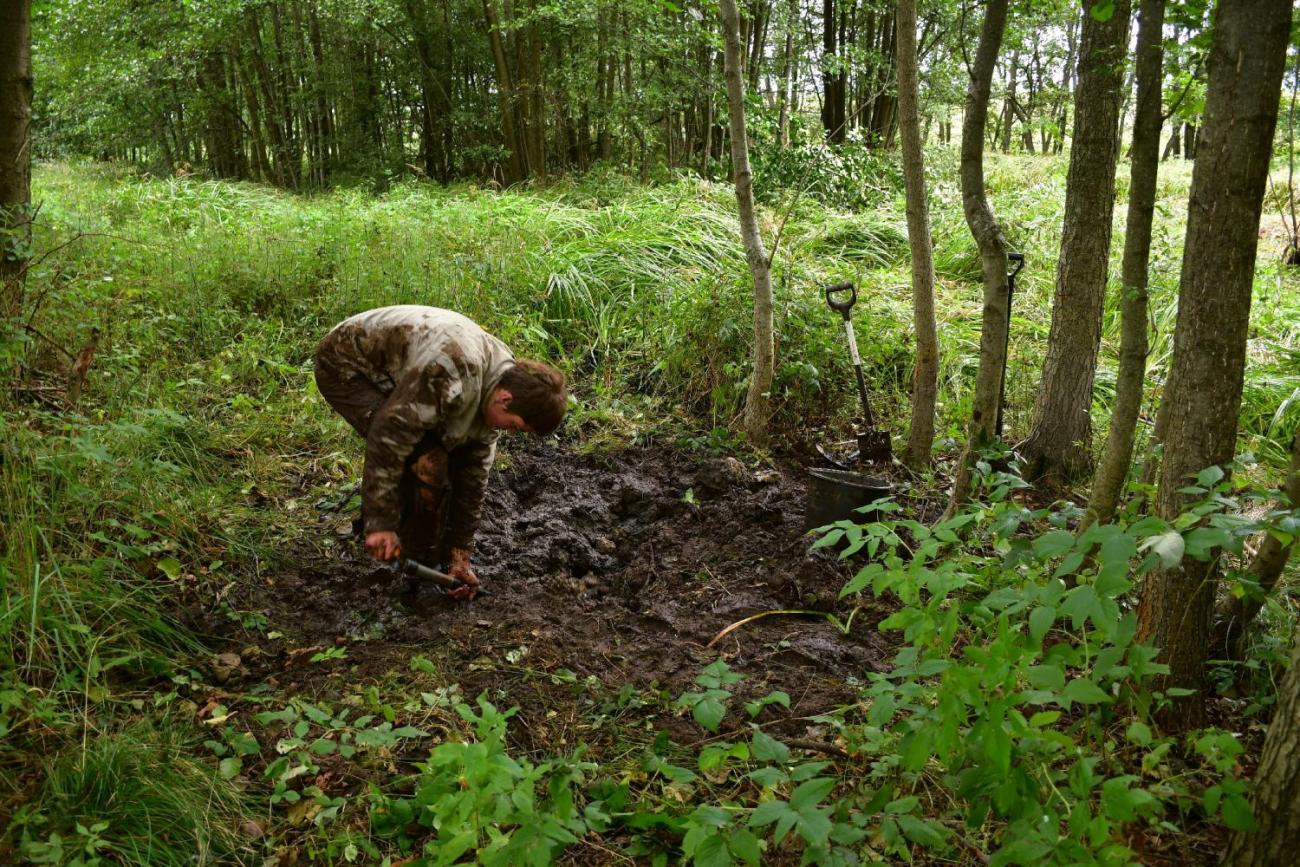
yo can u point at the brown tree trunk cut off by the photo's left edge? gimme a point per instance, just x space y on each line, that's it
15 153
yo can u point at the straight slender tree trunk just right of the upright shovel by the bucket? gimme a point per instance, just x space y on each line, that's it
925 382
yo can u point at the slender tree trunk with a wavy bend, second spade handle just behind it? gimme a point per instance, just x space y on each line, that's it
993 248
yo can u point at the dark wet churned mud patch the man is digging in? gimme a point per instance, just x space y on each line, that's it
619 566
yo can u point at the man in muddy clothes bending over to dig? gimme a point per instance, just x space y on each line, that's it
431 393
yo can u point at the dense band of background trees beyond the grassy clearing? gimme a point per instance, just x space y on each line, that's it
306 94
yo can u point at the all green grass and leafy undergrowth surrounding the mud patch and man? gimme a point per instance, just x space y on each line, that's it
1016 723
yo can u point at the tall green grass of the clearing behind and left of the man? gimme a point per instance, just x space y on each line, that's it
200 435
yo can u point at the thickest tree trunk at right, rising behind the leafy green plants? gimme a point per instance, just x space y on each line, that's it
1204 393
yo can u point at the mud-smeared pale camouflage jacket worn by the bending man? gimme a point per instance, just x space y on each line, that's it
439 370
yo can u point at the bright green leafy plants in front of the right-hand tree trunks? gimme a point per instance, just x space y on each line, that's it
1022 692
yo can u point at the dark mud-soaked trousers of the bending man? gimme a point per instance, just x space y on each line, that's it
426 489
